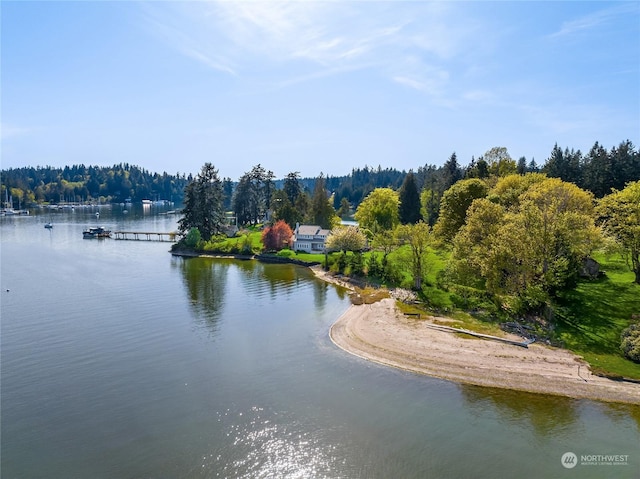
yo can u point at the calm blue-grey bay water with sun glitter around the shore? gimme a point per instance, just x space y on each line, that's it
121 361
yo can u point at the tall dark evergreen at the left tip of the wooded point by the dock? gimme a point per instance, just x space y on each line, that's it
203 208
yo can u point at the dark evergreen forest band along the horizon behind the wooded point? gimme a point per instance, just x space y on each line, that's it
598 171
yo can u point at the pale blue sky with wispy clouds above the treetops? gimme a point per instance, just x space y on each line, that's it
313 86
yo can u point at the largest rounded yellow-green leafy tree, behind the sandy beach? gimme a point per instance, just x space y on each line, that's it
531 247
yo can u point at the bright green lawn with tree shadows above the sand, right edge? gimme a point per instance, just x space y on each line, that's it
591 317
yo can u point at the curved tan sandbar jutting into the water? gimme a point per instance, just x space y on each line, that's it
380 333
